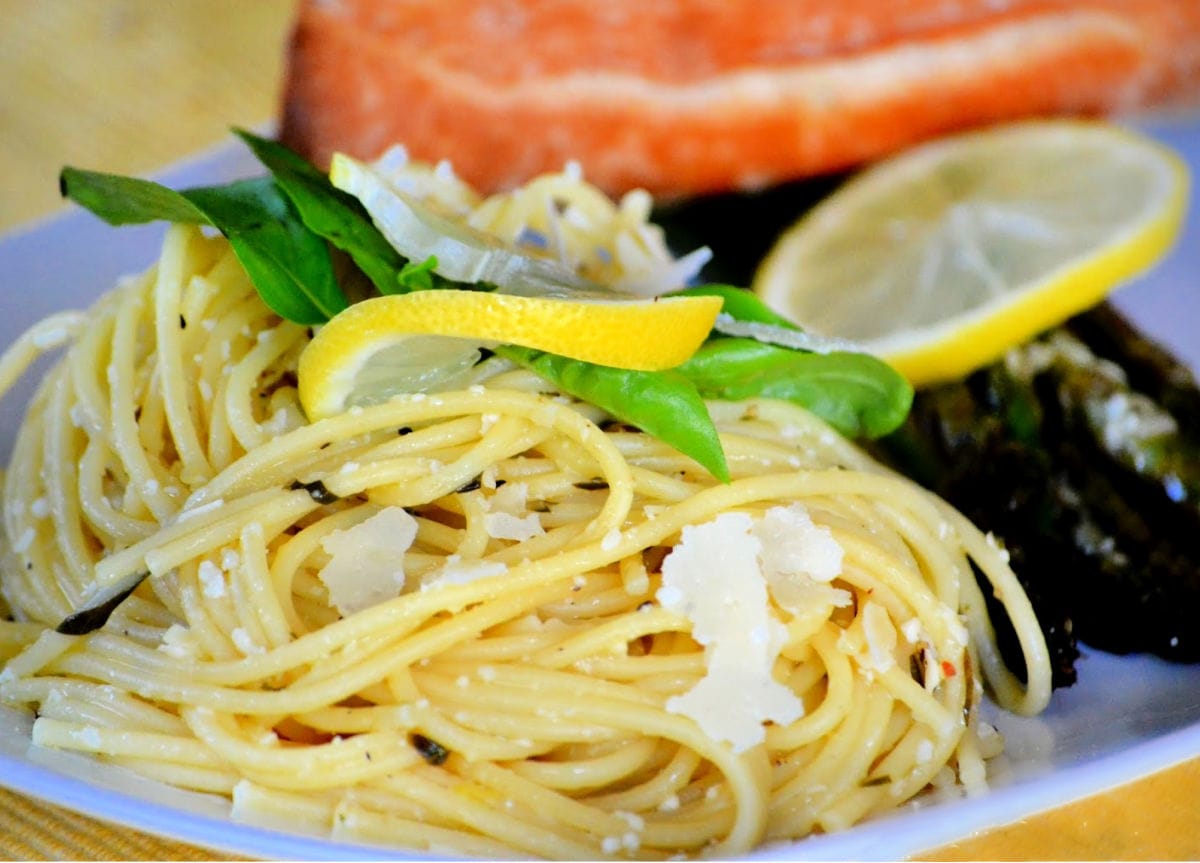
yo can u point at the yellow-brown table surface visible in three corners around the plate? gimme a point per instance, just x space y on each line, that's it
131 86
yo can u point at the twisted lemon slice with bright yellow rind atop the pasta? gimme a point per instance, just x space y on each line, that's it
429 340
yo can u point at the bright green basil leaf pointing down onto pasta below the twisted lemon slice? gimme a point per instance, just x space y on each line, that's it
664 405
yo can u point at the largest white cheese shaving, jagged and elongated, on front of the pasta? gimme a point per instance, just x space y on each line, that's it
715 578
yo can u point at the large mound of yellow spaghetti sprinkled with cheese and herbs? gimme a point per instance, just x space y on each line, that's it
519 691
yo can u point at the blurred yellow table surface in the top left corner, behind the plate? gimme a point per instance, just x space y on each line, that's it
127 86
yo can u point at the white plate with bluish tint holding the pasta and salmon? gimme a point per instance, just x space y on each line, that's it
1127 716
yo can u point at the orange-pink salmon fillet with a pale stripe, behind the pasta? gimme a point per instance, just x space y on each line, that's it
693 97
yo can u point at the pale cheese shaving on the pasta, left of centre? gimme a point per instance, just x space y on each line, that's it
367 564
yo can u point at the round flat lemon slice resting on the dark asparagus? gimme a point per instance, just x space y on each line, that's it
946 256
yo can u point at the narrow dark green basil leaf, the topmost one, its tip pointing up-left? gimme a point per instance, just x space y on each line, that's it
331 213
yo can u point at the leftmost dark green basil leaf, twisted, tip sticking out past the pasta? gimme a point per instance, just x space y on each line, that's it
289 265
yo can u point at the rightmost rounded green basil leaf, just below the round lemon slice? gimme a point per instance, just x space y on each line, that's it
857 394
